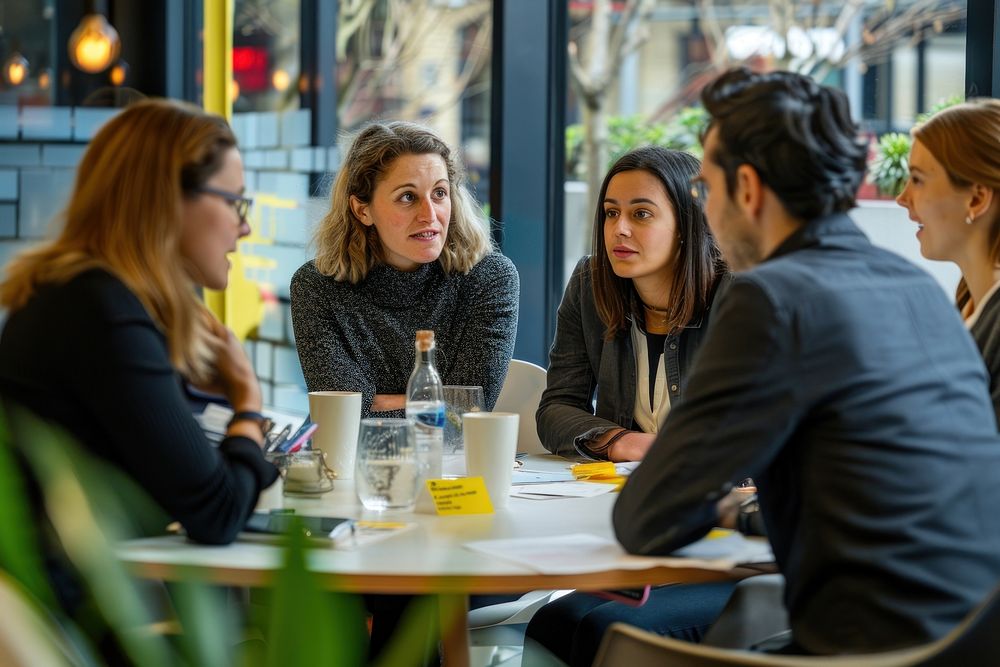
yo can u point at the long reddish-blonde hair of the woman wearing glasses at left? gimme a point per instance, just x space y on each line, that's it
124 216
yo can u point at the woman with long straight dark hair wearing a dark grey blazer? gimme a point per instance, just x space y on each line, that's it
633 312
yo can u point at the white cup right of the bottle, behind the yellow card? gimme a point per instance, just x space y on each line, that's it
490 447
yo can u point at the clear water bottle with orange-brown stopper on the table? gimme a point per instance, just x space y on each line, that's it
425 407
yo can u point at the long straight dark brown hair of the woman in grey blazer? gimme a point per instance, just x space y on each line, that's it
699 261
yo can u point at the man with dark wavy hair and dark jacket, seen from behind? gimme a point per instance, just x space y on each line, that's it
840 378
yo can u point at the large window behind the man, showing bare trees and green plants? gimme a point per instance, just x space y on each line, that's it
637 76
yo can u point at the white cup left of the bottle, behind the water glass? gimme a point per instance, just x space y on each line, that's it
338 415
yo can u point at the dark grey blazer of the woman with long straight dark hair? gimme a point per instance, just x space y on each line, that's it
581 363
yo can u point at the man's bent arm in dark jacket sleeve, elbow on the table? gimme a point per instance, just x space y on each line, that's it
739 411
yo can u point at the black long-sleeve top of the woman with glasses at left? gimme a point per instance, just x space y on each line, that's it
86 356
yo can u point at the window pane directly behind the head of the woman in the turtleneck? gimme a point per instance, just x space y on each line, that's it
426 61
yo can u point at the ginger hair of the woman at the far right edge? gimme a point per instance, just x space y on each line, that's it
965 139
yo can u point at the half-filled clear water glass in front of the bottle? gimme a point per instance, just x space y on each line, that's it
386 471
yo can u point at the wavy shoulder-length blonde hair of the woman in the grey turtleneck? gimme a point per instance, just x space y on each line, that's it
346 249
